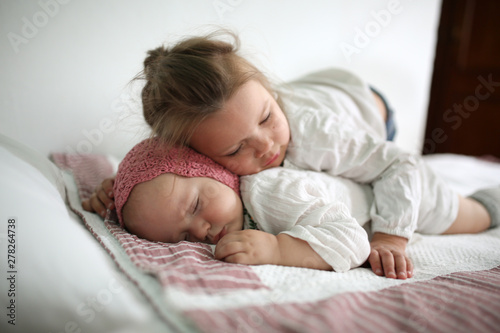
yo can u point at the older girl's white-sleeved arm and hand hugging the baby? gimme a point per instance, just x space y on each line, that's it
395 178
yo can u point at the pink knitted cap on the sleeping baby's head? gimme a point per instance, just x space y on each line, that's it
149 159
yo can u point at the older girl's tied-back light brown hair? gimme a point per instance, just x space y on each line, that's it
191 80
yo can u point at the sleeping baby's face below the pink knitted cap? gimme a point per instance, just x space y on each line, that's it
171 208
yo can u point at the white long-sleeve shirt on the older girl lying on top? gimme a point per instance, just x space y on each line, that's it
336 128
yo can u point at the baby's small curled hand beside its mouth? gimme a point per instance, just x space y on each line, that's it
249 247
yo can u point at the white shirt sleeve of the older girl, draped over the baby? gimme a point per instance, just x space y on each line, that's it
392 173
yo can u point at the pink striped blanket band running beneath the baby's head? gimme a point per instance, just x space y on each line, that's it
185 265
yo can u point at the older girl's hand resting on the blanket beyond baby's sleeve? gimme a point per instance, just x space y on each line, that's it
388 256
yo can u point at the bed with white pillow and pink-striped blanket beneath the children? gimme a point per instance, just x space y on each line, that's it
70 271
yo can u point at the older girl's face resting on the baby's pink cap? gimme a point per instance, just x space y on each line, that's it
248 135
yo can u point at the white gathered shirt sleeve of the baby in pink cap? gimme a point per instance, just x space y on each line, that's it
281 202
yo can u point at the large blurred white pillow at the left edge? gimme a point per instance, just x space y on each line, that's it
64 280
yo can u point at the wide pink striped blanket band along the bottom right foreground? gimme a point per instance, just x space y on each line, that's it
459 302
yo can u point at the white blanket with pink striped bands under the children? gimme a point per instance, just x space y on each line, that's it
456 287
